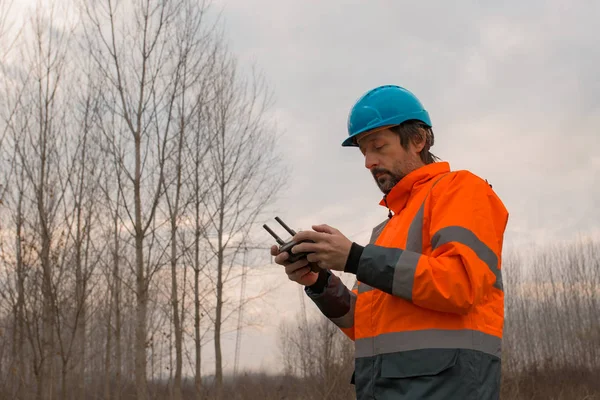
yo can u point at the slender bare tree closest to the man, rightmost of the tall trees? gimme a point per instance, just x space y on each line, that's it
244 169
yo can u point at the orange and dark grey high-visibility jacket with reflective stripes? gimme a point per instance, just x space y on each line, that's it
427 310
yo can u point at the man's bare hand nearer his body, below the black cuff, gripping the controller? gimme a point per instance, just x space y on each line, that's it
330 249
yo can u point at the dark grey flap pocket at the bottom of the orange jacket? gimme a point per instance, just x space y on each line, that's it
410 364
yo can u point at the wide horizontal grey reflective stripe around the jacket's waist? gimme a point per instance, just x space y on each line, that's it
428 339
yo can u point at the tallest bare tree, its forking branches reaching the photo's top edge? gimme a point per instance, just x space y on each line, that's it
135 59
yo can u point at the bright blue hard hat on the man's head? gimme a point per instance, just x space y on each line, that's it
386 105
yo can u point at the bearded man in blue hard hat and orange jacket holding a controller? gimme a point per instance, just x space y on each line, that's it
427 310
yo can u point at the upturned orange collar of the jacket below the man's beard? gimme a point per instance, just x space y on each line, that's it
397 198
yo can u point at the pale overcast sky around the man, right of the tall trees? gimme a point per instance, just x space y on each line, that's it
512 90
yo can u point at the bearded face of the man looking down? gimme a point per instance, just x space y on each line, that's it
387 160
